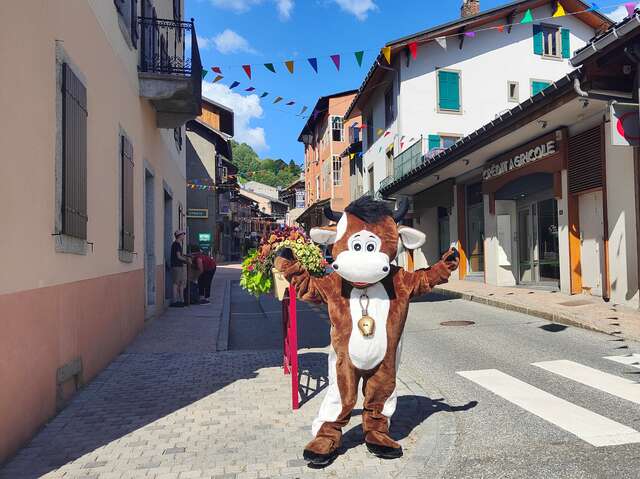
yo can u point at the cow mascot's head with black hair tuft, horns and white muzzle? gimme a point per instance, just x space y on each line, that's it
365 239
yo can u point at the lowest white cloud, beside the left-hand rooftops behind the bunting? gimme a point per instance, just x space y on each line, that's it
245 109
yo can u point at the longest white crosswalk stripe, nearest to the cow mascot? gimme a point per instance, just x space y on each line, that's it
593 428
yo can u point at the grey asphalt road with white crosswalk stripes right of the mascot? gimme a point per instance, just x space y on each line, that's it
574 414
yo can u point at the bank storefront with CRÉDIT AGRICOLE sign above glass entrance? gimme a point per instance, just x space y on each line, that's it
523 192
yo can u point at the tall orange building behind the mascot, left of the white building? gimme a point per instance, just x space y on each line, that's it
326 137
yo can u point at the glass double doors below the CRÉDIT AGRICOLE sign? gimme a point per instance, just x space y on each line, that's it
538 246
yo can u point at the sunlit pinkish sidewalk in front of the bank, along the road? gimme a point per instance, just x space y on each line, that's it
578 310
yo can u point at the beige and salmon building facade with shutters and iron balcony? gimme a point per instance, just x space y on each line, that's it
93 177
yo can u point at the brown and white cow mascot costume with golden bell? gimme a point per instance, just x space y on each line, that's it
368 299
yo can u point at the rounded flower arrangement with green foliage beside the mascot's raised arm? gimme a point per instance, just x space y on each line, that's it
258 274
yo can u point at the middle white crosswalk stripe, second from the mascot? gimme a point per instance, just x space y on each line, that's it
609 383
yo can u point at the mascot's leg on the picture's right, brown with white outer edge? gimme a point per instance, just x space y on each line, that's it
380 400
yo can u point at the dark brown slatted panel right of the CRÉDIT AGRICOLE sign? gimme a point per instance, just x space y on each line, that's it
586 160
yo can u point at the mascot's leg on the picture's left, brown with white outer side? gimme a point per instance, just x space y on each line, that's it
334 412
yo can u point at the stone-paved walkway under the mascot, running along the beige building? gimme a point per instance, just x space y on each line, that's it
174 406
